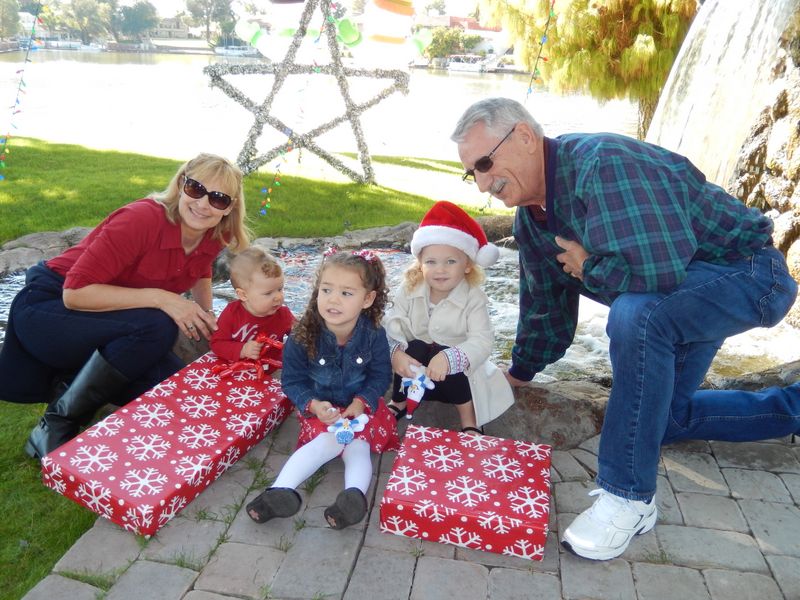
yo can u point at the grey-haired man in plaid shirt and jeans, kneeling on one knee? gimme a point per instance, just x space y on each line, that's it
682 266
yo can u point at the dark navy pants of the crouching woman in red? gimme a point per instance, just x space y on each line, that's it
45 339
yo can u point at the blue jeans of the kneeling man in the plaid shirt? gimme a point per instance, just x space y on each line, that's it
661 346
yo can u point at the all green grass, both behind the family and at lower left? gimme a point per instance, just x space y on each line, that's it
52 187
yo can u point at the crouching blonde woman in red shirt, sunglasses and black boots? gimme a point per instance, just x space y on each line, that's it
97 324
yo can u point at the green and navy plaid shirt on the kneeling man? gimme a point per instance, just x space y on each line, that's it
643 214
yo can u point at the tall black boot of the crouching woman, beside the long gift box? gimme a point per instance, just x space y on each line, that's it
95 384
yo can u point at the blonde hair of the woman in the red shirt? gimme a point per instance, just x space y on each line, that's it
231 230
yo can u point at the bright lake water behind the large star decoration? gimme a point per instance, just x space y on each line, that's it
163 105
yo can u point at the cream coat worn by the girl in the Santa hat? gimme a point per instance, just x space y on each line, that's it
460 320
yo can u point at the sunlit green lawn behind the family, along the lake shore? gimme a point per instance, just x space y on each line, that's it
52 187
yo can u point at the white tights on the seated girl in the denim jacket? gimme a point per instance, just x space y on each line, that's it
307 459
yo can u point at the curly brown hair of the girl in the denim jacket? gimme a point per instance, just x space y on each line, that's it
369 267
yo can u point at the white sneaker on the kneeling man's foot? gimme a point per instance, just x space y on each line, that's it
604 530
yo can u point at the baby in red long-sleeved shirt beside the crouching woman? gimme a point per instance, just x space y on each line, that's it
257 279
